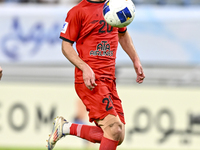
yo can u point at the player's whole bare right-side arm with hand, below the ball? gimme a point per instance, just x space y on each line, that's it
127 45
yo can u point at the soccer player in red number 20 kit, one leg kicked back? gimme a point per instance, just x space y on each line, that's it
96 44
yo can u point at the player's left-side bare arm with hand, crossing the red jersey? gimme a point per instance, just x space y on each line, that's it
88 74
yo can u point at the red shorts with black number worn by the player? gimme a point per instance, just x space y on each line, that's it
102 100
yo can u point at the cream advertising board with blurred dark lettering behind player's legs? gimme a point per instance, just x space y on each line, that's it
160 117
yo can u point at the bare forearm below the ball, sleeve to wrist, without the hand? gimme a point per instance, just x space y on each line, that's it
127 45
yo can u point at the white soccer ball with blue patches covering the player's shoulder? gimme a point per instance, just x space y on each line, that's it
119 13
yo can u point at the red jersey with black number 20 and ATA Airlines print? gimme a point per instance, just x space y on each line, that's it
96 41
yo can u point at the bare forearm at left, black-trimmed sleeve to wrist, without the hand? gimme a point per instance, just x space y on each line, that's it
69 52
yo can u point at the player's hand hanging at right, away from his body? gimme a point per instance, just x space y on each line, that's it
139 72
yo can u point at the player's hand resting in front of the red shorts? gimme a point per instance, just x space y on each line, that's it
89 78
